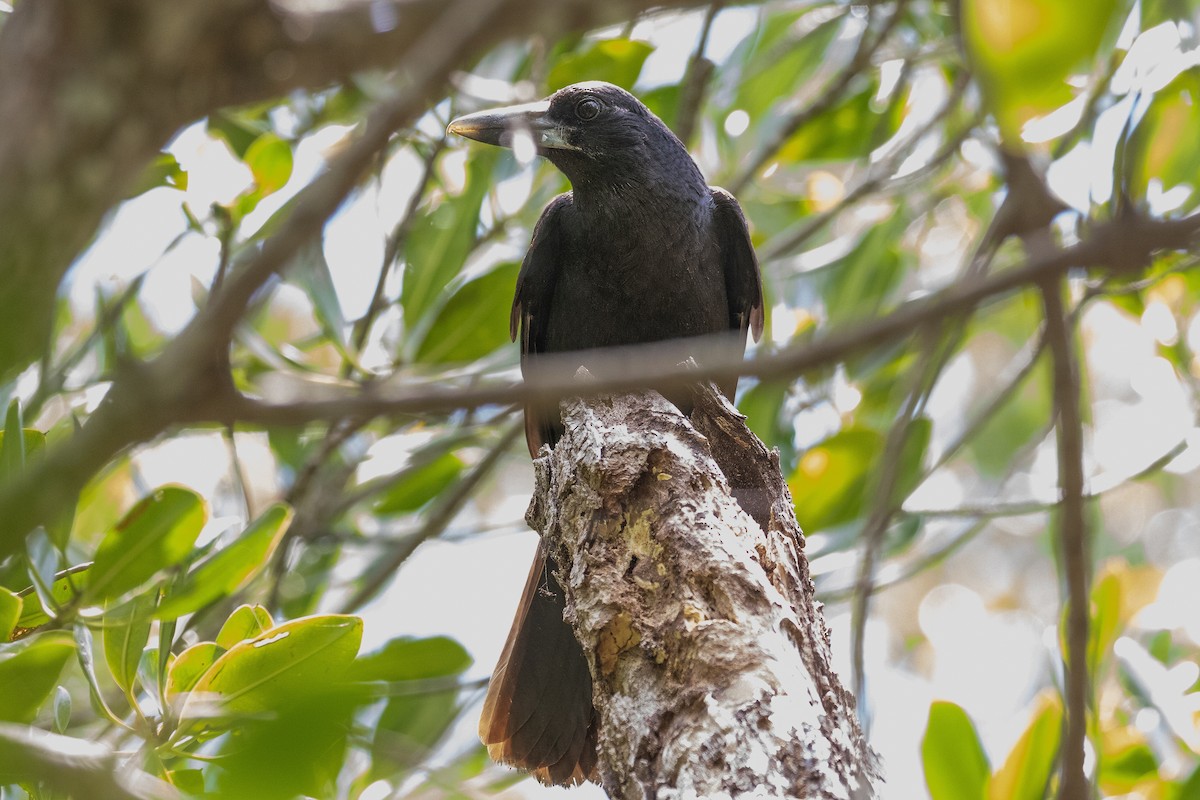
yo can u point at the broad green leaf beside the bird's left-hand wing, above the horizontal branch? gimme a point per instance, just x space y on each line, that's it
475 322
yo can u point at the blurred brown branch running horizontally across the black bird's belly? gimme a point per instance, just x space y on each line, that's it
181 388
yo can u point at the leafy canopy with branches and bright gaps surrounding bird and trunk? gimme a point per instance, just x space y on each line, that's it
255 354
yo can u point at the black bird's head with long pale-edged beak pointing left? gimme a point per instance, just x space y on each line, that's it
595 133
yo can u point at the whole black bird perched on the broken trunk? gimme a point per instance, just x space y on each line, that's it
641 250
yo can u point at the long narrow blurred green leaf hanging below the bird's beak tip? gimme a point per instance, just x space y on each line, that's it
440 243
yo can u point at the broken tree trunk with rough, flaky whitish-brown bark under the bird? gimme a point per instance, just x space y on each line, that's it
689 591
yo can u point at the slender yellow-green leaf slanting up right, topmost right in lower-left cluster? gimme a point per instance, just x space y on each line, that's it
229 568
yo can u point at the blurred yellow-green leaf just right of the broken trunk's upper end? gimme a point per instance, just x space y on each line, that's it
830 484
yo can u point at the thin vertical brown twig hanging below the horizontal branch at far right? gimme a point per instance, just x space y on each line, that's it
1075 545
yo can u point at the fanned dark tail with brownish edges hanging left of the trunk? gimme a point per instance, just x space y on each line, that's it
538 714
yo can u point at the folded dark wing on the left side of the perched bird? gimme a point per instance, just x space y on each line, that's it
531 306
